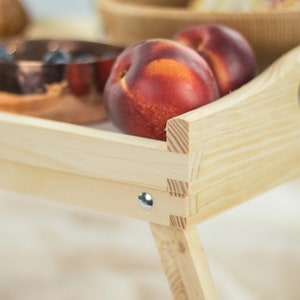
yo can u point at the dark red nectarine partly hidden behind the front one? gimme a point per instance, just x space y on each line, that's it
227 51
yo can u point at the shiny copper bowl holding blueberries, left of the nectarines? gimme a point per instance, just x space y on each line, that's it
69 92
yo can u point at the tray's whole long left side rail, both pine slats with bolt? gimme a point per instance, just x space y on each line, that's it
91 168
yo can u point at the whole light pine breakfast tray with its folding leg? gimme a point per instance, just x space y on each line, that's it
215 157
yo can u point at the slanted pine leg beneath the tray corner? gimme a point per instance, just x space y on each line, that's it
184 263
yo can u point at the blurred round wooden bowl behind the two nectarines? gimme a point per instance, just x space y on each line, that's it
270 33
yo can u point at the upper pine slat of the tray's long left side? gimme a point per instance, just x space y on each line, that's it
90 152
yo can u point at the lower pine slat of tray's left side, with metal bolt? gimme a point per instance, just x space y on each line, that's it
87 192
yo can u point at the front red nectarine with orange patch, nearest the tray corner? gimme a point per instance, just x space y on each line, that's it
154 80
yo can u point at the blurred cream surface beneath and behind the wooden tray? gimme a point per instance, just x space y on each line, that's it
53 251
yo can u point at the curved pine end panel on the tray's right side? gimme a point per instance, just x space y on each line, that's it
244 144
